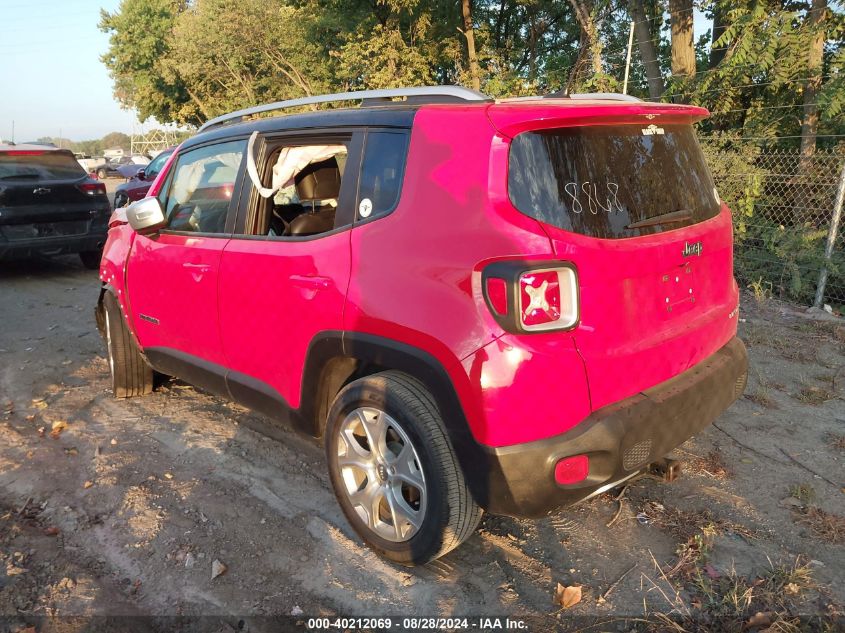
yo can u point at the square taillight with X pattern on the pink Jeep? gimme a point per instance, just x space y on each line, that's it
532 298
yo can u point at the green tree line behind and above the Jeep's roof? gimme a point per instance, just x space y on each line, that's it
765 69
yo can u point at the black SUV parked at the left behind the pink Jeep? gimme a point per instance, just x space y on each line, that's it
49 205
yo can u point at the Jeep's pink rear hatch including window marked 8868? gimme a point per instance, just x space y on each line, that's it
634 206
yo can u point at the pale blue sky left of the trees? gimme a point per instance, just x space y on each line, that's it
51 78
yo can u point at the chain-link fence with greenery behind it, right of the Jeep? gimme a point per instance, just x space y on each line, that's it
783 211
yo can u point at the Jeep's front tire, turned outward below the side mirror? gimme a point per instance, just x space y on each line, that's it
131 375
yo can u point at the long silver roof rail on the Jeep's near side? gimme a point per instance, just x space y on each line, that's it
453 92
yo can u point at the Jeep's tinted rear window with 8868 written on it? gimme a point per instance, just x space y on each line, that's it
600 180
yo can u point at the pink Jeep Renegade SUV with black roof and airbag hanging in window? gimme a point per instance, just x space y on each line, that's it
506 306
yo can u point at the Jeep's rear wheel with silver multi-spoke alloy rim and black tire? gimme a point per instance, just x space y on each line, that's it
407 498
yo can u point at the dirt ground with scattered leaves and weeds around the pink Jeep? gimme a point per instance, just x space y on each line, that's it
114 507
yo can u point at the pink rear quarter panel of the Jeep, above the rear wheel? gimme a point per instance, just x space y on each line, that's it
416 276
